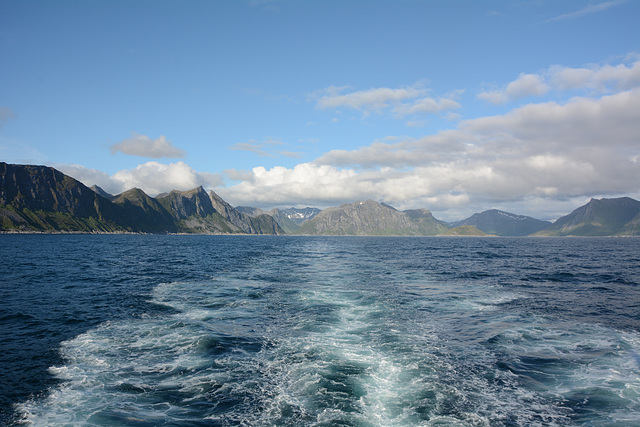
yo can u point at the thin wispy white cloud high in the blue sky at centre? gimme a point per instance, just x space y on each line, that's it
401 102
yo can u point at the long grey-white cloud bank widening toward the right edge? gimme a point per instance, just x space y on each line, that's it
548 151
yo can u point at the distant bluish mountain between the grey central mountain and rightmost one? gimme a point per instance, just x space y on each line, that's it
502 223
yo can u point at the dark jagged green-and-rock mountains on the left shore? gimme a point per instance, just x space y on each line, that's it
40 198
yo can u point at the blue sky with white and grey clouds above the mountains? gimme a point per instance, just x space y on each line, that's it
528 106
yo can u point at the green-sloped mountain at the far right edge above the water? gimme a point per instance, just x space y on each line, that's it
603 217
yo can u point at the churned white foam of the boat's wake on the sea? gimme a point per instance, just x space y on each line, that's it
334 353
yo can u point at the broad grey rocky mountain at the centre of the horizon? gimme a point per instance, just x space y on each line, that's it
369 218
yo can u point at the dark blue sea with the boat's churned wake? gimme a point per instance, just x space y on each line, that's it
193 330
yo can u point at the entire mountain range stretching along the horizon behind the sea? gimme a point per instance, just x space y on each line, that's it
42 199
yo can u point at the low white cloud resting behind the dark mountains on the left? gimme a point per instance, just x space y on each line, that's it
151 177
